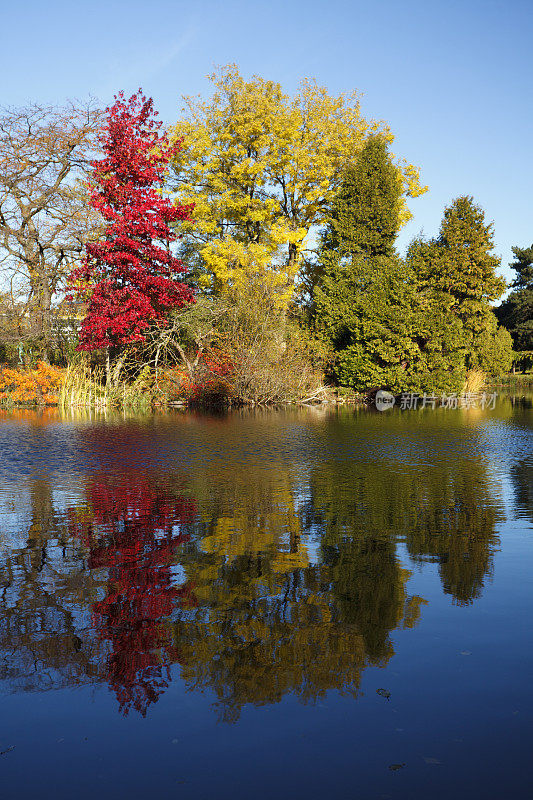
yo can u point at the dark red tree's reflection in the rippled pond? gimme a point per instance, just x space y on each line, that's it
134 530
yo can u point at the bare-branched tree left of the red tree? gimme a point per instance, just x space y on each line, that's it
45 218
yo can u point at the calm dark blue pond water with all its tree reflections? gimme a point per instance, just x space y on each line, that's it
302 604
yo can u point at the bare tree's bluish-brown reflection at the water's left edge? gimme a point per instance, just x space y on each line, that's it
45 635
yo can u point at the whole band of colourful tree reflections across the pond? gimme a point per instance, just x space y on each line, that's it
273 580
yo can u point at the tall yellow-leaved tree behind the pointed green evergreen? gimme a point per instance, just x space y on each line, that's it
261 168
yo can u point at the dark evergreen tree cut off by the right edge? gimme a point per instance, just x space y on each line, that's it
516 312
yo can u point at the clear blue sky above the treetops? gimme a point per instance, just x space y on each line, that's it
453 78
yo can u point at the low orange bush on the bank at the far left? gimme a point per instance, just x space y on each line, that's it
39 386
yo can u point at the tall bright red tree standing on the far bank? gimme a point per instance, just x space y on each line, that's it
129 278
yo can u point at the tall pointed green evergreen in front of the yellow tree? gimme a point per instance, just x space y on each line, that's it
359 273
